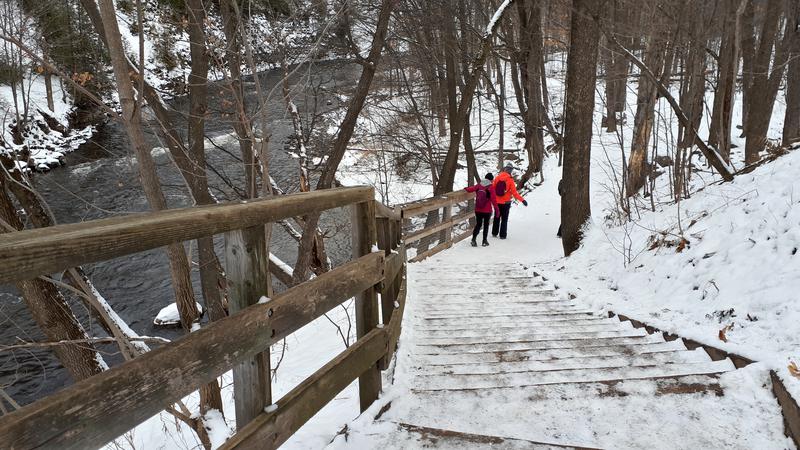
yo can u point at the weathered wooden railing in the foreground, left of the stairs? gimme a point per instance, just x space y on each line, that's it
94 411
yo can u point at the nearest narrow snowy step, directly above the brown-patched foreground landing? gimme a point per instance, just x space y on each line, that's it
500 380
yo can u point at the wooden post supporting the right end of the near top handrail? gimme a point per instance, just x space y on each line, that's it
363 238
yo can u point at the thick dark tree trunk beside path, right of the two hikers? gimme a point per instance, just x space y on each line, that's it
579 108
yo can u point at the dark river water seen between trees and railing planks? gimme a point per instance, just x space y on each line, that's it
100 180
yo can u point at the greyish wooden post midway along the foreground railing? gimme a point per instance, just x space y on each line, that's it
246 262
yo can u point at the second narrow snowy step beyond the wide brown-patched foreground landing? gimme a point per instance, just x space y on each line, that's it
546 354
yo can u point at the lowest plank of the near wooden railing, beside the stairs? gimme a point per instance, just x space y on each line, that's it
271 429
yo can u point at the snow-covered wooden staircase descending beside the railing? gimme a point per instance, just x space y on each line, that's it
494 358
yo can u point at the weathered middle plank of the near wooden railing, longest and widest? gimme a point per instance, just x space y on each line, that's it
87 414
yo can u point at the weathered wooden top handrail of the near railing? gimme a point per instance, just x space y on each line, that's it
30 253
